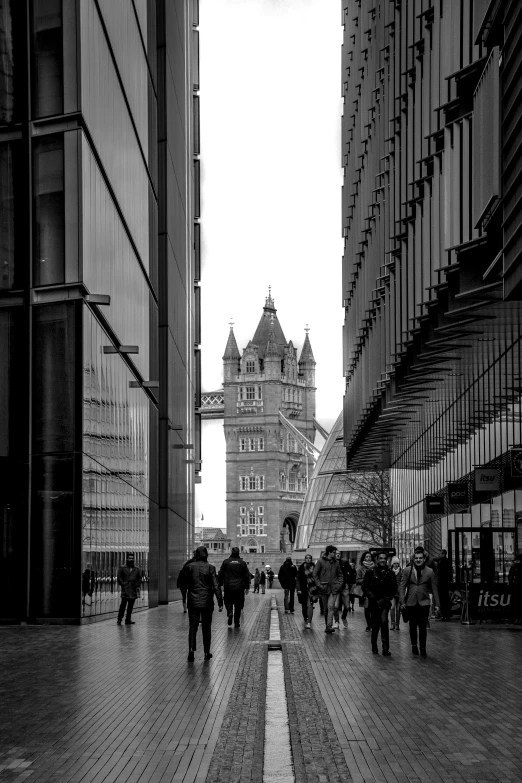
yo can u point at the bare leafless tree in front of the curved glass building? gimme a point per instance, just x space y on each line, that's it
370 508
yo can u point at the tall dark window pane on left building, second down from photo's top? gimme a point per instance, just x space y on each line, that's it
49 210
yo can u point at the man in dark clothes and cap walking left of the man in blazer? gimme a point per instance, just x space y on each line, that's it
379 586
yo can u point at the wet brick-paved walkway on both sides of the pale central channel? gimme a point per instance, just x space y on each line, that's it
102 703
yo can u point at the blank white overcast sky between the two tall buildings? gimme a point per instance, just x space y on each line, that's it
270 79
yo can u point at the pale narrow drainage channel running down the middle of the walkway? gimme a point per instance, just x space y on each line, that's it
278 765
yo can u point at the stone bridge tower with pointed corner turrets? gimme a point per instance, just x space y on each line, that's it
267 468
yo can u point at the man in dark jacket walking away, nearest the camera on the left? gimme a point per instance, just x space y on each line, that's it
200 580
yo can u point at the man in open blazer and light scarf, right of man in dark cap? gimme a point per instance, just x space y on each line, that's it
417 582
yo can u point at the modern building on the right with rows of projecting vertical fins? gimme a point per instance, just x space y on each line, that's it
432 221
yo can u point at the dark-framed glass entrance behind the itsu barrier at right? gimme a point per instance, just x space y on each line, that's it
486 554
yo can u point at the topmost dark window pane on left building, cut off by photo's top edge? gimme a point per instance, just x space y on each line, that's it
48 58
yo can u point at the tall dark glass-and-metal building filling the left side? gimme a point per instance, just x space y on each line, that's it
99 301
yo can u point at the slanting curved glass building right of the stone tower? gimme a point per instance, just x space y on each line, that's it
325 517
